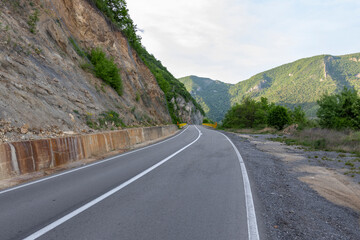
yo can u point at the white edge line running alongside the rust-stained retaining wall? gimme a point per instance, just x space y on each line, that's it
88 165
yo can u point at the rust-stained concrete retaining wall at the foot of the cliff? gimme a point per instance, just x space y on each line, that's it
18 158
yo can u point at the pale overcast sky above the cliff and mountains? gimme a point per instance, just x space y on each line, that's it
232 40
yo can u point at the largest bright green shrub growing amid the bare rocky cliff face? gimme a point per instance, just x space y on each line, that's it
106 69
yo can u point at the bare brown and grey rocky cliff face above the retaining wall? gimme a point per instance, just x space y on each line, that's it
42 85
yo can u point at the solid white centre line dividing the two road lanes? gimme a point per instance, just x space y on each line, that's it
102 197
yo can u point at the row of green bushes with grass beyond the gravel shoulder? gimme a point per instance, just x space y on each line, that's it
337 127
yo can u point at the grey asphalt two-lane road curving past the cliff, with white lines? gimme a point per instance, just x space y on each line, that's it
191 186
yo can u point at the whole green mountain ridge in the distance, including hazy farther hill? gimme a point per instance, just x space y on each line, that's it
301 82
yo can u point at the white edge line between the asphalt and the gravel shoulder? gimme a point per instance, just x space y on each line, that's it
253 232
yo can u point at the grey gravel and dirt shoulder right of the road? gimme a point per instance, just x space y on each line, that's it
301 194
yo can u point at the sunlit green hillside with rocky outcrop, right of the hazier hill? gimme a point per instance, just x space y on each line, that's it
303 81
